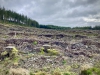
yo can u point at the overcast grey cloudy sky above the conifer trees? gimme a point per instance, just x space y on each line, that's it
67 13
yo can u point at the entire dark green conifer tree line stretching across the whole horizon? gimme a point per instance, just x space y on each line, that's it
19 19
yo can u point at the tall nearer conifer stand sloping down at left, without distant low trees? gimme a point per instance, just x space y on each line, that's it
13 17
